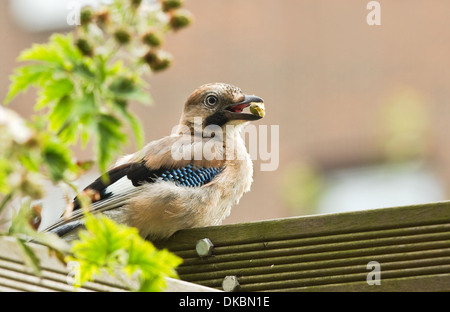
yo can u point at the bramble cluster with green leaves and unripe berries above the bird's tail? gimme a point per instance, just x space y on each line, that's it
87 78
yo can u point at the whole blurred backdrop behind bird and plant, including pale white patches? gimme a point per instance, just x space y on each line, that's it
363 111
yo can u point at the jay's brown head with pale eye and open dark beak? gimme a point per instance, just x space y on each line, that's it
219 104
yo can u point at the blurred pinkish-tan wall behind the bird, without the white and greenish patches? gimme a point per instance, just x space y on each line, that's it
323 72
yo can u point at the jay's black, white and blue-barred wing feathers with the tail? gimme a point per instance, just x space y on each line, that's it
125 180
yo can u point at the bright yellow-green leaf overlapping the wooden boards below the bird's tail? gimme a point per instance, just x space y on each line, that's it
108 246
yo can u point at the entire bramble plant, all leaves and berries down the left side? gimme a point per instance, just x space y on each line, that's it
85 81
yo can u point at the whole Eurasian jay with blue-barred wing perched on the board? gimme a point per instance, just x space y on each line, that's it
189 179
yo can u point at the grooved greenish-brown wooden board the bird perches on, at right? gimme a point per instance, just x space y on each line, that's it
325 252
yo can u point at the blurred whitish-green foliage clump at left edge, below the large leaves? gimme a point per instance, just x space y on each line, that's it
29 156
